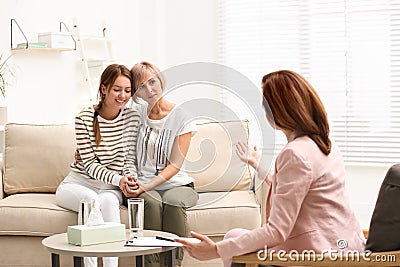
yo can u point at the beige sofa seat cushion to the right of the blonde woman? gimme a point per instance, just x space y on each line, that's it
218 212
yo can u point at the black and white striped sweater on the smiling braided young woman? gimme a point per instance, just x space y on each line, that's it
115 155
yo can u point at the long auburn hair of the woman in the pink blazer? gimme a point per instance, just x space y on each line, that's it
296 106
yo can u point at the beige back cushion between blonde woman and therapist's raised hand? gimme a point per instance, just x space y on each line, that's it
212 160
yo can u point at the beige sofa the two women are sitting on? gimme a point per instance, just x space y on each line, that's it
37 157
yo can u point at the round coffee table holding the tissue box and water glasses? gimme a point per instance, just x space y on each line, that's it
58 244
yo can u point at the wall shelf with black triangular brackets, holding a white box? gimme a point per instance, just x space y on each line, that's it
27 45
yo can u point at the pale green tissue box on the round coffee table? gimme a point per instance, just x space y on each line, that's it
83 235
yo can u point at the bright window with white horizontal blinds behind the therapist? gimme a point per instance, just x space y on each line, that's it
348 49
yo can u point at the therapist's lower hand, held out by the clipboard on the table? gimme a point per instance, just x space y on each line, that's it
205 250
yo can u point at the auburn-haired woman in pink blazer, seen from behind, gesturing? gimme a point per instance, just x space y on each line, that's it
307 208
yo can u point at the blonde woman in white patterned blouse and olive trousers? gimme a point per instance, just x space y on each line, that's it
163 141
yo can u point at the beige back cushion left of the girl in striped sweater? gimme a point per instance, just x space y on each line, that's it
30 167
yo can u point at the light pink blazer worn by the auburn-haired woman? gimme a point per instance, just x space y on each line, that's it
307 207
